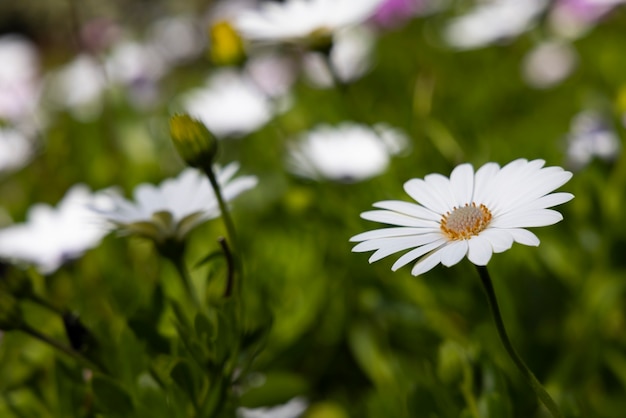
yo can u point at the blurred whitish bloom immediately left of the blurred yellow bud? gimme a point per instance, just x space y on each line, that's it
177 39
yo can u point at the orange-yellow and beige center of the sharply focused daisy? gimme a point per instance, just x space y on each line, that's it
466 221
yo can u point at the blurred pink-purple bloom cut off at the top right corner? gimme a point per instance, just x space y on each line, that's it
573 18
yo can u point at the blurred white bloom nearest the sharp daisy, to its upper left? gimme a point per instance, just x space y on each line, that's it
347 153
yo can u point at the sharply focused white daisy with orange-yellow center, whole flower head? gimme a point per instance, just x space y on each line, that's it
471 213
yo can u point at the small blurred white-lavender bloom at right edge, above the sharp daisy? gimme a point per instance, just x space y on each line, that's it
590 136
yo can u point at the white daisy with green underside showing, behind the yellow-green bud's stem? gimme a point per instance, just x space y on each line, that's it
176 206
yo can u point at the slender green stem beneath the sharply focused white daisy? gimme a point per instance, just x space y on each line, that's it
526 372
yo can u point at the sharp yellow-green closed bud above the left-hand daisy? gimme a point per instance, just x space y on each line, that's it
193 141
